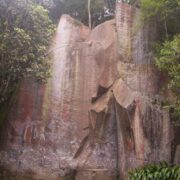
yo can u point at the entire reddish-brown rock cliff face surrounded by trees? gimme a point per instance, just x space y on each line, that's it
100 114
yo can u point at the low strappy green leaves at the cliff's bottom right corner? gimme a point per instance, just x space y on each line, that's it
161 171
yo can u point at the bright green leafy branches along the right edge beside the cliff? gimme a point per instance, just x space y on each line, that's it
168 61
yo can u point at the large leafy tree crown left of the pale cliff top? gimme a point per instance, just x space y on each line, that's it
25 33
